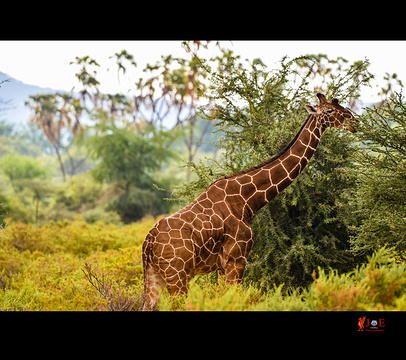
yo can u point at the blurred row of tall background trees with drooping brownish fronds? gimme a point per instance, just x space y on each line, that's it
170 89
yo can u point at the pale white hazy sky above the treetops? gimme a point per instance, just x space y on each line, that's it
46 63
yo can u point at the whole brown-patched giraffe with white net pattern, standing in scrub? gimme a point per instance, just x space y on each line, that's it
213 232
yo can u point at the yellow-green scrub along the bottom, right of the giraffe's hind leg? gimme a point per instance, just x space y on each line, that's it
379 284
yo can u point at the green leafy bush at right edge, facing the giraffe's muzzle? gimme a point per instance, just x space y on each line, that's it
379 197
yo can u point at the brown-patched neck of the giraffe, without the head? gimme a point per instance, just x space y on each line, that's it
275 174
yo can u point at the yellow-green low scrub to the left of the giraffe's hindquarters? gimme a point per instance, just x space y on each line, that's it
41 268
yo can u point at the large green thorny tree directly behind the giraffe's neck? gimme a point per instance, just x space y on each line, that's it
259 112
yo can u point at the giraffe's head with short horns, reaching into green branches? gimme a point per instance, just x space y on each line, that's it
332 114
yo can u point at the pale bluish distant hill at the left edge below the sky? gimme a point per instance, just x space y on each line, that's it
13 94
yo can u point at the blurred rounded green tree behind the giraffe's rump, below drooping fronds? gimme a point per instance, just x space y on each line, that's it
129 161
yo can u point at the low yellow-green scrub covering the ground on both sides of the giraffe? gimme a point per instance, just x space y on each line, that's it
50 268
